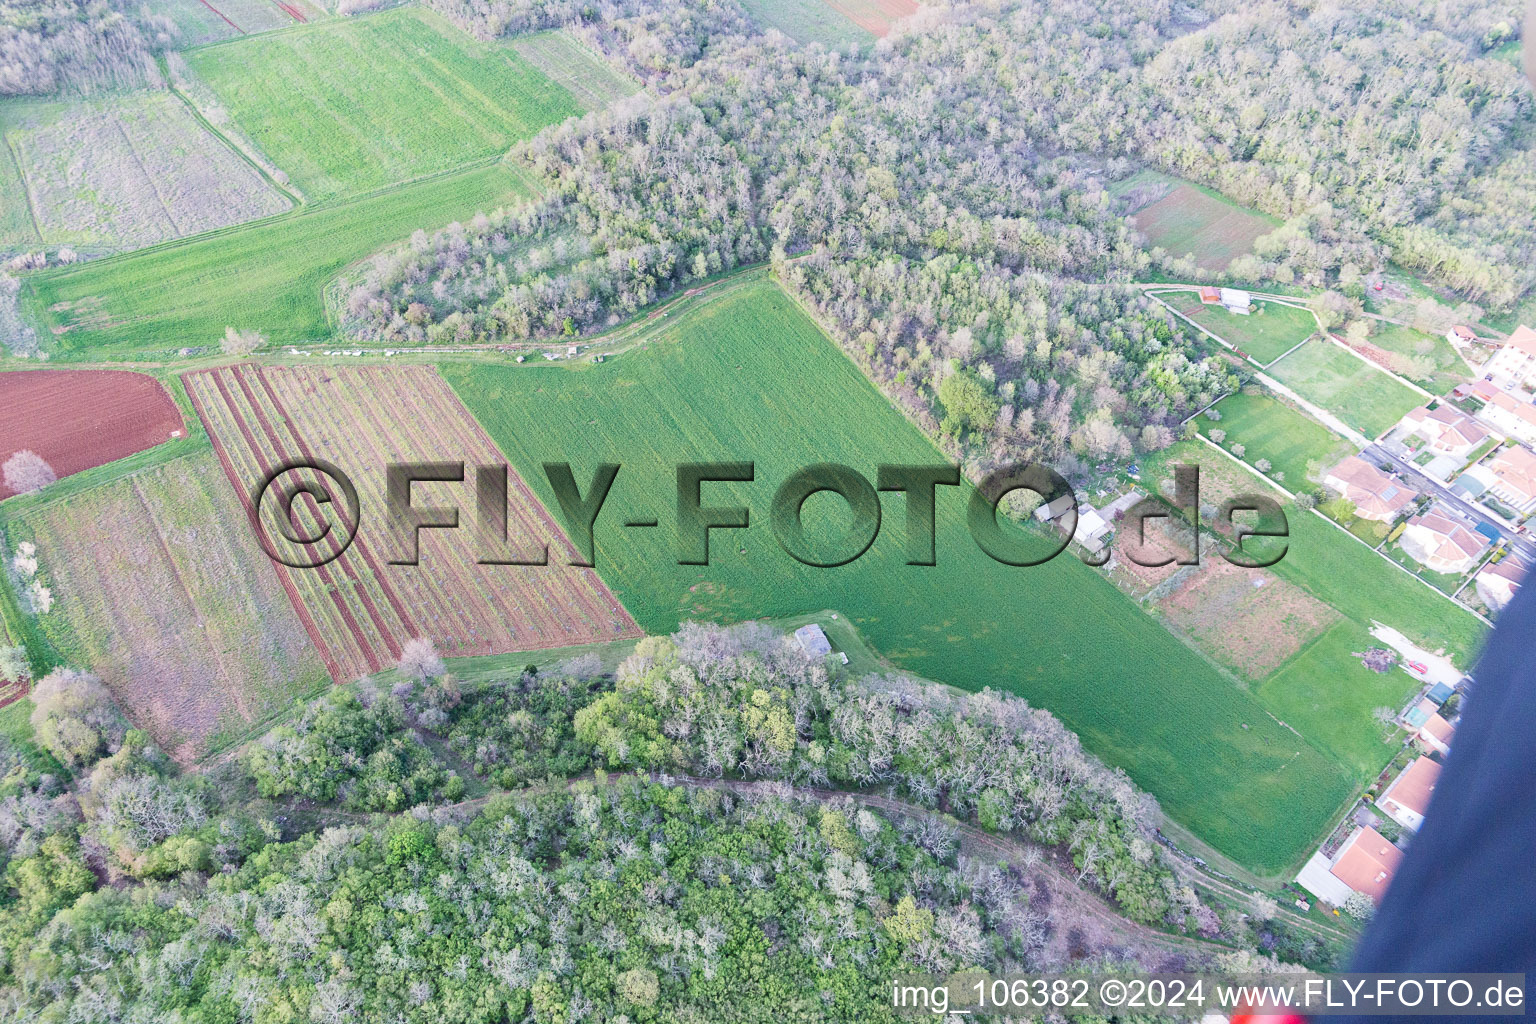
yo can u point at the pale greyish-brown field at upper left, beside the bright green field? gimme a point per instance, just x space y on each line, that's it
128 171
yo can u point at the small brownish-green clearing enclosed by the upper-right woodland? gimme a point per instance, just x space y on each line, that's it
1191 220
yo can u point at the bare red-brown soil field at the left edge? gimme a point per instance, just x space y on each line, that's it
78 420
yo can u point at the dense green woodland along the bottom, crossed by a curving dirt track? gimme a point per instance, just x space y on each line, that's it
417 851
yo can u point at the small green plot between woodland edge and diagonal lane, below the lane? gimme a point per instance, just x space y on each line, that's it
1273 431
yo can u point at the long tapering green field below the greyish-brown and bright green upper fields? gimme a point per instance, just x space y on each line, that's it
268 277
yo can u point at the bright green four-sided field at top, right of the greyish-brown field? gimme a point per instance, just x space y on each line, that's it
349 107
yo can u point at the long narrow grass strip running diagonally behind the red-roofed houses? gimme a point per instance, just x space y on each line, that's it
1336 567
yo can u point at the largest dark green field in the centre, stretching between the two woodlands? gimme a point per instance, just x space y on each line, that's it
709 389
